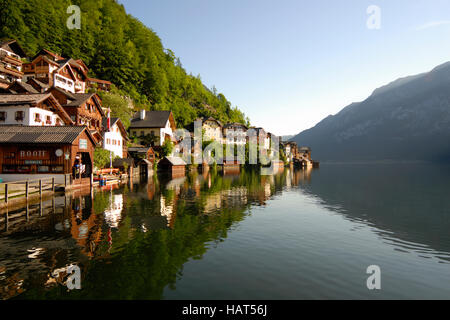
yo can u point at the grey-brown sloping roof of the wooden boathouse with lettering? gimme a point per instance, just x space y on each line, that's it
40 135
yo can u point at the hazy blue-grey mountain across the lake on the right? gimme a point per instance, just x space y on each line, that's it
407 120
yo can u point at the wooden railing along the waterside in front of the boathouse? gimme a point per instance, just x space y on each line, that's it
16 189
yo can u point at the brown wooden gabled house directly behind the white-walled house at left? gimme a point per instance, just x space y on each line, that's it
85 109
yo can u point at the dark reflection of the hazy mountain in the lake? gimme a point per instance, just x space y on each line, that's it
409 204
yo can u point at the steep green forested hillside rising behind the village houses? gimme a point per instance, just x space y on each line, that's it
116 47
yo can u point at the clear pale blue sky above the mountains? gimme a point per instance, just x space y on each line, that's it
287 64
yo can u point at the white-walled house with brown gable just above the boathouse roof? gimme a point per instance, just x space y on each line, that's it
32 110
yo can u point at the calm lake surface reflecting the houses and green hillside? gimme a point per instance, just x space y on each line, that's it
294 235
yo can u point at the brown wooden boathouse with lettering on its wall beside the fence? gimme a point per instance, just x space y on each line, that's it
46 152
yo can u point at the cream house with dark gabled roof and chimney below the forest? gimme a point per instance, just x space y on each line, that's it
157 124
